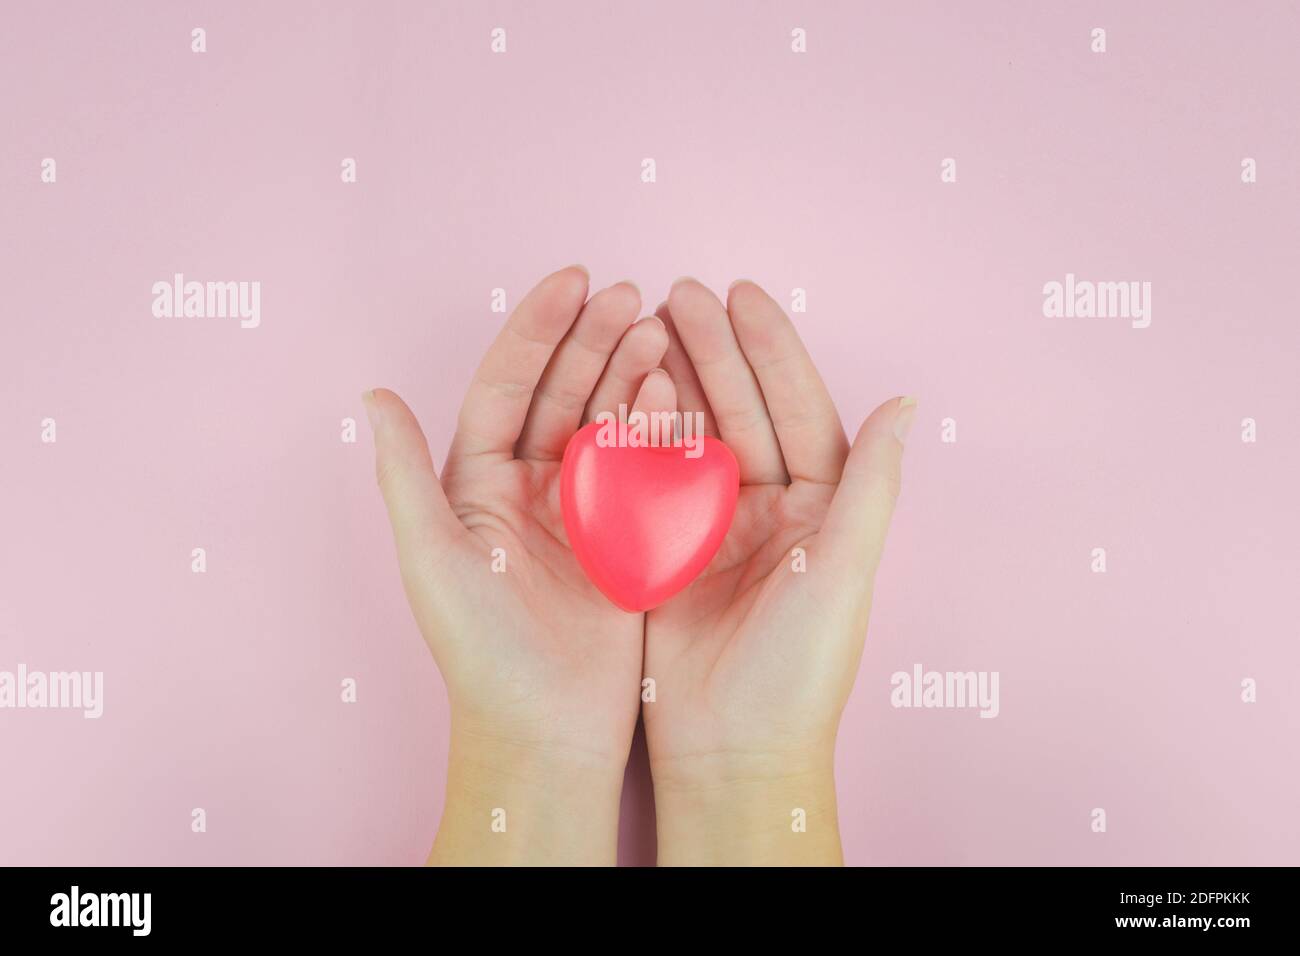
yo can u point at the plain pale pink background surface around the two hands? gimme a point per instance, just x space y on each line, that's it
818 171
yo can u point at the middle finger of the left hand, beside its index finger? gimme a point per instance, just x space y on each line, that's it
574 371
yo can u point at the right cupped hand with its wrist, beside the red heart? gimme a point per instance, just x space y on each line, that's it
755 661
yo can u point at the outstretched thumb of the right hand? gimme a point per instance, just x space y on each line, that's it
856 526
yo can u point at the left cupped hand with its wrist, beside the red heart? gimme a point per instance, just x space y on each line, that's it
543 673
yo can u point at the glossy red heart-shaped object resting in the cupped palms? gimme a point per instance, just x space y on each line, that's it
644 522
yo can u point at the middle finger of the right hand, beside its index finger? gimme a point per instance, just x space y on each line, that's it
734 395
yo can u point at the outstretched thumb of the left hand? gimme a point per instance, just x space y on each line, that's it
418 509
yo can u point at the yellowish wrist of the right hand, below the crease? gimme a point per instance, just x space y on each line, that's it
742 810
